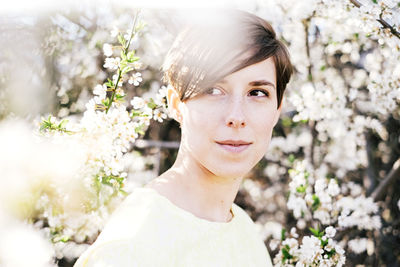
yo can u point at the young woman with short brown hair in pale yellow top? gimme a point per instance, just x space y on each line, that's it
227 79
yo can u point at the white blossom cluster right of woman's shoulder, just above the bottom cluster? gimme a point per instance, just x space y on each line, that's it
313 196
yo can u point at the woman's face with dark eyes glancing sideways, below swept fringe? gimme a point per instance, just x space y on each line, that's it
227 129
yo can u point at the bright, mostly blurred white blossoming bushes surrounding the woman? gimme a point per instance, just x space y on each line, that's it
333 160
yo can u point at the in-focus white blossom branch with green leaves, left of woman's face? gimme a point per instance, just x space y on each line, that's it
104 134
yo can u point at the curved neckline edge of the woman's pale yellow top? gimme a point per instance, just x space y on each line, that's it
188 213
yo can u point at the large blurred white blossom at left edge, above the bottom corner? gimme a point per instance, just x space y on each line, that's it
33 166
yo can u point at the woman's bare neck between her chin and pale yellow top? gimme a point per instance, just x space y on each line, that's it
192 187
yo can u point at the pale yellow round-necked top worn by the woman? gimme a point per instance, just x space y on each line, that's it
148 230
